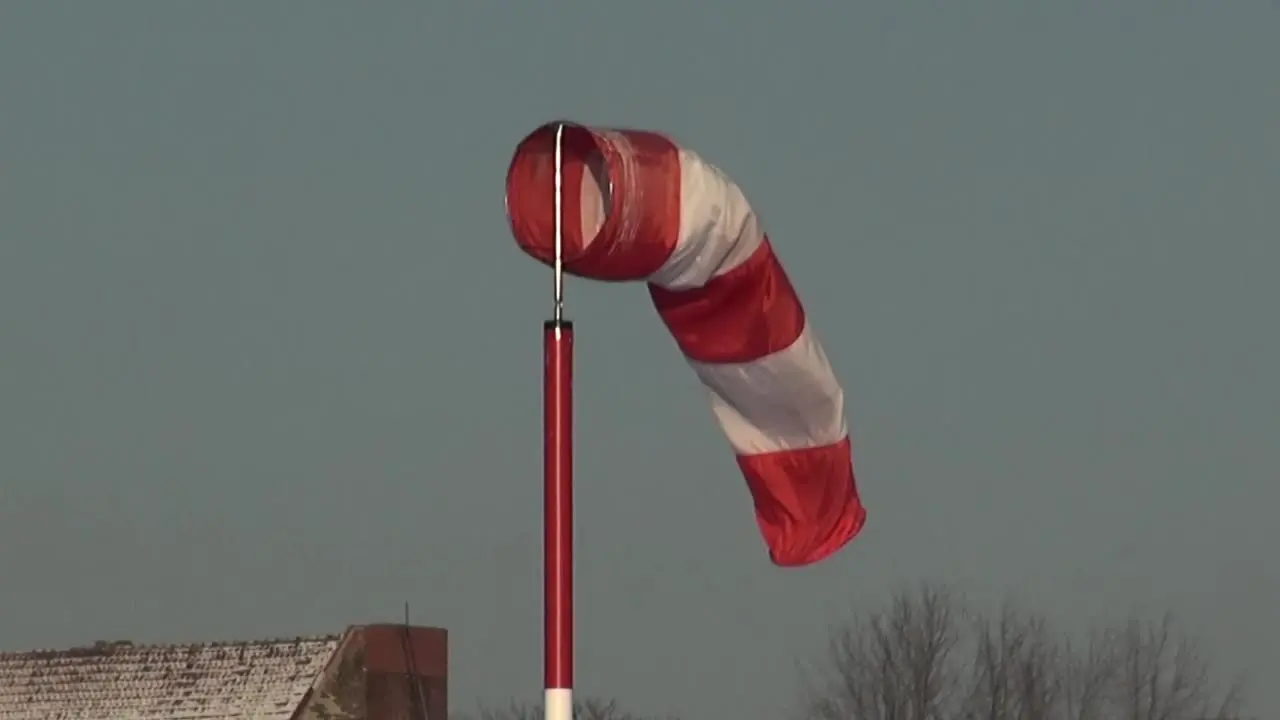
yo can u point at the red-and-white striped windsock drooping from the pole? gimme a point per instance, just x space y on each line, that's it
637 207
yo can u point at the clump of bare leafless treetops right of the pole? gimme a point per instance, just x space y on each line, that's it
929 657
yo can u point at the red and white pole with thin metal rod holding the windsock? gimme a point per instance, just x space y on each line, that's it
559 486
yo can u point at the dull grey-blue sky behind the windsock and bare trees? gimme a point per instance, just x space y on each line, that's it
269 358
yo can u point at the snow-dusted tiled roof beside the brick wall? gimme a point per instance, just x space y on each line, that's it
260 681
